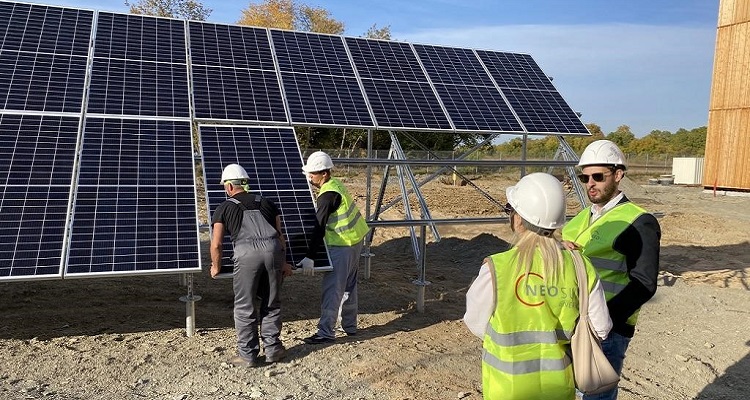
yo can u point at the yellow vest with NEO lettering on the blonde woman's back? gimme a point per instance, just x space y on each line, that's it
529 332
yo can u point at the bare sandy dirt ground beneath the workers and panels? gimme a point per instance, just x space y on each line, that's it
125 338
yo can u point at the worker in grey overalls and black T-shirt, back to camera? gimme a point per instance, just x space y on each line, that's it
254 224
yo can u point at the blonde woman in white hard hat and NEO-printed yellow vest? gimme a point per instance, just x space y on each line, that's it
524 302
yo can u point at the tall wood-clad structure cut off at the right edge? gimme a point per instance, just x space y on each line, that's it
727 158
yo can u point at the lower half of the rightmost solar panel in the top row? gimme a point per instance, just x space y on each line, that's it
544 112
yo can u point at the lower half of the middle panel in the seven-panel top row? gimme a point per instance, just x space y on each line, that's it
325 100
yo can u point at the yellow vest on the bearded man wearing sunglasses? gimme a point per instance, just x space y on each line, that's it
597 239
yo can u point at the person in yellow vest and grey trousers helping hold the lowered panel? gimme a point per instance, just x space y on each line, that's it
343 228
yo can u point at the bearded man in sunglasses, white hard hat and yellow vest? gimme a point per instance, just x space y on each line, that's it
622 240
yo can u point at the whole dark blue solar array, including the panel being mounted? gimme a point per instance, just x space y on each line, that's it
97 110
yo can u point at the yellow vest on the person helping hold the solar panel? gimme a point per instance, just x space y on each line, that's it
345 227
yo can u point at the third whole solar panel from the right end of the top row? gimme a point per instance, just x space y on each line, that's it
397 88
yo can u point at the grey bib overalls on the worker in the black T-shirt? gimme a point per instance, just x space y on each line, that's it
258 258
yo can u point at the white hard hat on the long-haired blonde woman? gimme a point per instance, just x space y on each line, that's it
539 199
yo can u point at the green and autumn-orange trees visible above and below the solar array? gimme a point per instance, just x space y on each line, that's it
296 15
